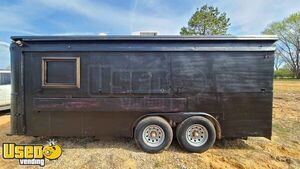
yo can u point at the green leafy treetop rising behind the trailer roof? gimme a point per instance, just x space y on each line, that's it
207 21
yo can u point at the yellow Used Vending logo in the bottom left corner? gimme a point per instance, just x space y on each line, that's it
31 154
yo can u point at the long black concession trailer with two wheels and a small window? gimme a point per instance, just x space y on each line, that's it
197 88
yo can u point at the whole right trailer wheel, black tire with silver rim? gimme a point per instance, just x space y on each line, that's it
196 134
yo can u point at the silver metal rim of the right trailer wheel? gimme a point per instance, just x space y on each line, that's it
196 135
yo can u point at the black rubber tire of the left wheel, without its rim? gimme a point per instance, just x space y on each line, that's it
153 120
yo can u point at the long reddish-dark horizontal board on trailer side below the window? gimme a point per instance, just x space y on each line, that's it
109 104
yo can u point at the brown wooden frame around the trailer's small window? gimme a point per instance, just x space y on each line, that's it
45 84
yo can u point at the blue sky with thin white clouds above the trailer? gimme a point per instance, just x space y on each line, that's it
122 17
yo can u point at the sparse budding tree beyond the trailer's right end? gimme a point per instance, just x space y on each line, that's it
288 46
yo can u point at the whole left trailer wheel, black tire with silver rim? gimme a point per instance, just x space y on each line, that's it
153 134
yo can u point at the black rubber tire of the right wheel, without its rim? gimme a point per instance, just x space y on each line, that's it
183 127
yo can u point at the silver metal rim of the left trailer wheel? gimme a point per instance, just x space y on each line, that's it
153 135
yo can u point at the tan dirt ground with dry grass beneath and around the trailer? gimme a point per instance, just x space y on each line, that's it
283 151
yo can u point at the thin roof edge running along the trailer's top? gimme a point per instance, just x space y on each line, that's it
137 37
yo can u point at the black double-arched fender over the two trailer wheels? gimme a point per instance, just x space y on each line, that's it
175 118
